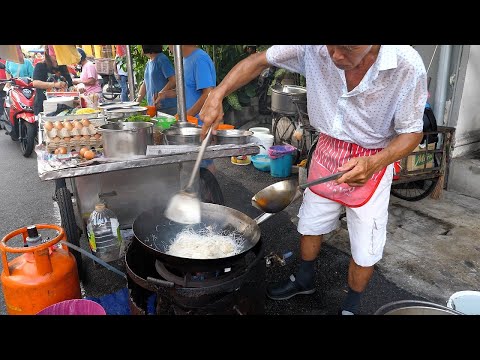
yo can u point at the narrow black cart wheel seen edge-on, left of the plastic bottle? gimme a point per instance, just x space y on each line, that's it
67 214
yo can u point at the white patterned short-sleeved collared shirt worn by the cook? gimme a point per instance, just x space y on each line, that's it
389 100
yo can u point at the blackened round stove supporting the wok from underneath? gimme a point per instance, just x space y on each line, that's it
237 289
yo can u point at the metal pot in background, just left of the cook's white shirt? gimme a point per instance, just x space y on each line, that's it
283 97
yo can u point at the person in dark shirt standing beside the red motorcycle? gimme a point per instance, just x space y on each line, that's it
48 76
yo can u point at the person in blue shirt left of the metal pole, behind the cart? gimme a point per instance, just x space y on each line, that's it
159 77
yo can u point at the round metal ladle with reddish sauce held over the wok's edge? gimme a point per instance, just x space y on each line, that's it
278 196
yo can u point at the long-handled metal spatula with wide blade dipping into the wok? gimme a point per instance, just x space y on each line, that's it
184 207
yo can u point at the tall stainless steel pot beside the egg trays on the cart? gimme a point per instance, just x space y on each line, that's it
126 139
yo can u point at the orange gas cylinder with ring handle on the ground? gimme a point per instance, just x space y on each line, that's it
42 276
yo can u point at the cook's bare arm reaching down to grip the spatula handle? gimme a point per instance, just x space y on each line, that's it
241 74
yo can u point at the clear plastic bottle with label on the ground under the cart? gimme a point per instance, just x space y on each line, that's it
104 235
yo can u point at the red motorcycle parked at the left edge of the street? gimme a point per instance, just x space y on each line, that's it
18 117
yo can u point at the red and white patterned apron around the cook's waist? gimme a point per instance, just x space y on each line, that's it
332 153
